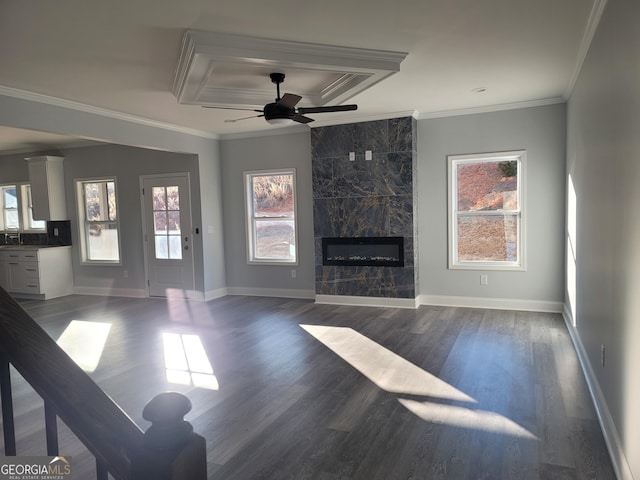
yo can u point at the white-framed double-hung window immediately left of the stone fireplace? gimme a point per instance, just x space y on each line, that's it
271 225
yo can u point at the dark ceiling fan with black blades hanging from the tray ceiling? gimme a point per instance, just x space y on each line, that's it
283 110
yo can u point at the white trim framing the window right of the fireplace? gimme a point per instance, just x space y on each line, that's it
453 262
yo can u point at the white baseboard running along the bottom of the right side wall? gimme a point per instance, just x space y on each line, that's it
609 430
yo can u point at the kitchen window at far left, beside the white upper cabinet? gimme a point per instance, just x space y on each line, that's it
17 211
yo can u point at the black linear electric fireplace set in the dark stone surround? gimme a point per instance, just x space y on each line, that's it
363 251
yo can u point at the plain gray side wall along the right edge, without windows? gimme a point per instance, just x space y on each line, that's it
603 161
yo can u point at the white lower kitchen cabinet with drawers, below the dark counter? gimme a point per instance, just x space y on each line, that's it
38 272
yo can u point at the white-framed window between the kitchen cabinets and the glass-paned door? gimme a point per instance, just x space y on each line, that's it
97 208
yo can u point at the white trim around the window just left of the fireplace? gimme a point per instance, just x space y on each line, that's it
249 220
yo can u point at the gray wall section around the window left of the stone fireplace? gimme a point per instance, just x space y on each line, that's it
263 153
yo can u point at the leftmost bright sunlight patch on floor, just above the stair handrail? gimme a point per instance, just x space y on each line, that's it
84 342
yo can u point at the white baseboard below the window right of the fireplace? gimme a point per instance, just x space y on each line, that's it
492 303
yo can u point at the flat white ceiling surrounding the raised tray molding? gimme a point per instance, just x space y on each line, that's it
122 55
